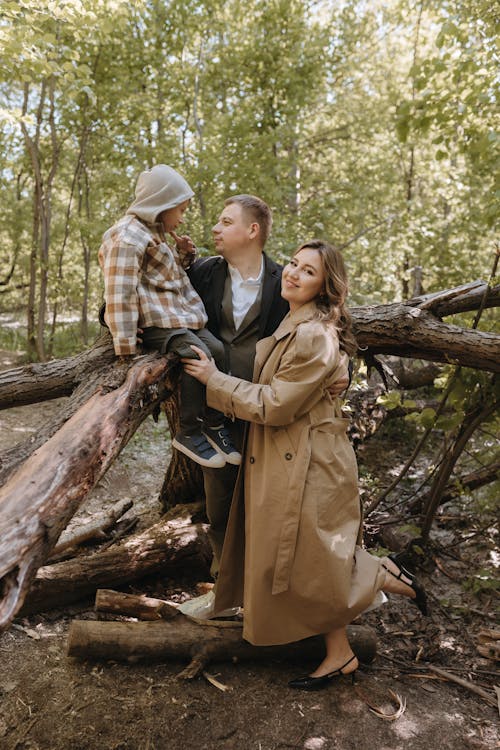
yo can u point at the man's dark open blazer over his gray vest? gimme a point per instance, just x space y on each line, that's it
208 276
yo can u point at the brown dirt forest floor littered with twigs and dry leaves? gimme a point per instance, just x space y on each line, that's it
51 702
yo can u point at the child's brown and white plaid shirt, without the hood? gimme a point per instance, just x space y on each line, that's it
145 284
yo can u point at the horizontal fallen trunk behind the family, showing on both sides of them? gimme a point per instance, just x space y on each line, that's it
382 328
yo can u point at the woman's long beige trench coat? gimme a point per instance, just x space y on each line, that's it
290 554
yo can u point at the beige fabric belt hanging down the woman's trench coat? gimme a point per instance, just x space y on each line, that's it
290 527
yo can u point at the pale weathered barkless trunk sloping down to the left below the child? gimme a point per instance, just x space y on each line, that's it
39 499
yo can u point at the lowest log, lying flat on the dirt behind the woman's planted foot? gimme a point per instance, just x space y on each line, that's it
182 639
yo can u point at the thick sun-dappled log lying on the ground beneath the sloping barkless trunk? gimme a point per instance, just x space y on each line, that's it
177 542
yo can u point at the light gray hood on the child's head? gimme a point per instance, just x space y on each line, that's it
157 190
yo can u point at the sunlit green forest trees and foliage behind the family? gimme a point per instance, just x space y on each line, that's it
370 124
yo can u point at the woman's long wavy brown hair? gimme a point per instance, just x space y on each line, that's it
331 302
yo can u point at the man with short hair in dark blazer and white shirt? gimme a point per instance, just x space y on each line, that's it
241 291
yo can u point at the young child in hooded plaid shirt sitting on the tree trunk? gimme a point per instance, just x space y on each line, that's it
146 287
